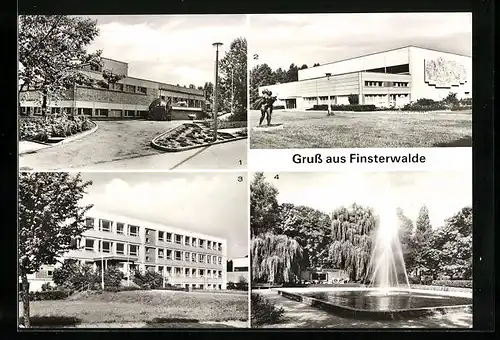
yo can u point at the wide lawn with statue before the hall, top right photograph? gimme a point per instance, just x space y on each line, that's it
313 129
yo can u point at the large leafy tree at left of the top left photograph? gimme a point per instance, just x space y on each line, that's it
53 51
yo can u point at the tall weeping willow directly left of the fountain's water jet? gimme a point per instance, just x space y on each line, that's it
352 240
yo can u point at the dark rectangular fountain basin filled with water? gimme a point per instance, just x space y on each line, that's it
370 303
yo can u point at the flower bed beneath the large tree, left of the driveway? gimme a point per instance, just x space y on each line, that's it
40 129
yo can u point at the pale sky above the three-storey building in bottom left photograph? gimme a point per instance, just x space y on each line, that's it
210 203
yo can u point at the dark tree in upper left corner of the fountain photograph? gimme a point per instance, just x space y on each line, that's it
264 207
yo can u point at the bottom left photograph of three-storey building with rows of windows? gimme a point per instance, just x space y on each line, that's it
133 250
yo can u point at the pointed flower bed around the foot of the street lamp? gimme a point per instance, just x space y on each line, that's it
190 135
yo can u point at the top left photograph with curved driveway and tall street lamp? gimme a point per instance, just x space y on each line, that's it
151 92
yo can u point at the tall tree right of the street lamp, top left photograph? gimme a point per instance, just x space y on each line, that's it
233 78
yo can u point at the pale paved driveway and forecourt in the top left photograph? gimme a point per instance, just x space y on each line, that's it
126 145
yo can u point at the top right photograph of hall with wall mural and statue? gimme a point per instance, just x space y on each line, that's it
378 80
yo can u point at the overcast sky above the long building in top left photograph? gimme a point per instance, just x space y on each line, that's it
167 48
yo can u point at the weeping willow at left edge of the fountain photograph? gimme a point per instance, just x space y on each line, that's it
275 258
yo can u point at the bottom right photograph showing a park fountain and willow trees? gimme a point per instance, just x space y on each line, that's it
361 250
